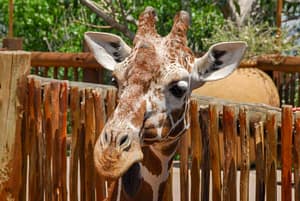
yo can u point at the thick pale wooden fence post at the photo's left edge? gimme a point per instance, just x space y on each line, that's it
14 67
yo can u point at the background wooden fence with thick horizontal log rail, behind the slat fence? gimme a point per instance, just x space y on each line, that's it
83 67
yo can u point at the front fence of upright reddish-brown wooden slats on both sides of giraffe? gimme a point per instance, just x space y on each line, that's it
49 168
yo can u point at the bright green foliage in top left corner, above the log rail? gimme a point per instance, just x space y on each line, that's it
48 25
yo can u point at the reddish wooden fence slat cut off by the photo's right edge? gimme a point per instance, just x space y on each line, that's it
297 157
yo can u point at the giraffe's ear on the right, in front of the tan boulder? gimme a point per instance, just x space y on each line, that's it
219 62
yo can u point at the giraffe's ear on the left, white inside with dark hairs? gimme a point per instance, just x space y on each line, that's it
108 49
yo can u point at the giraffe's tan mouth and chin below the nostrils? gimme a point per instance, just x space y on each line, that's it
112 163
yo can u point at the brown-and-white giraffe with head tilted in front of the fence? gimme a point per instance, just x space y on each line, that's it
154 81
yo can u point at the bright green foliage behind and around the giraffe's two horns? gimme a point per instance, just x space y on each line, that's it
205 15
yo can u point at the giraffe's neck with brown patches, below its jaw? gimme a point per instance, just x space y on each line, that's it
146 180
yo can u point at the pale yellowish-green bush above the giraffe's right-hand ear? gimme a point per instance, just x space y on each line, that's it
261 38
